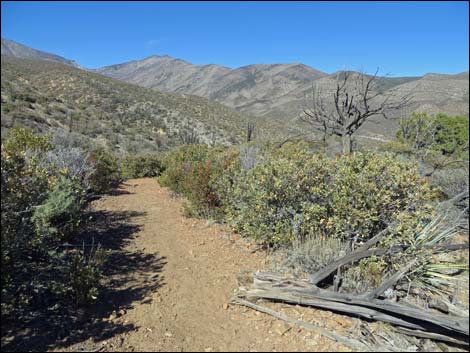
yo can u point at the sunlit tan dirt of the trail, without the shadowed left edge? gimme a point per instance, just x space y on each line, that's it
186 309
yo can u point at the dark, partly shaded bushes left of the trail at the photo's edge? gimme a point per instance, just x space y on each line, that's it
41 207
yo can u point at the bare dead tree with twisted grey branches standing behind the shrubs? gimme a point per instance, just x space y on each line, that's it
356 99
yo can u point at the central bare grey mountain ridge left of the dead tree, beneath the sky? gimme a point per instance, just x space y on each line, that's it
253 89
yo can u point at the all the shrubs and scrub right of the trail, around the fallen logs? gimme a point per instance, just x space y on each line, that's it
313 208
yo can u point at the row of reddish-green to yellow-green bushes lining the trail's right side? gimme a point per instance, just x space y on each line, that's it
280 195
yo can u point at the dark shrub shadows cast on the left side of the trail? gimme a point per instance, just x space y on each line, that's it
129 278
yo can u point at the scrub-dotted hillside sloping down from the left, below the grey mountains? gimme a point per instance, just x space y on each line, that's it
46 95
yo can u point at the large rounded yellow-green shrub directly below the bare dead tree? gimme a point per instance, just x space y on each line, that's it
295 194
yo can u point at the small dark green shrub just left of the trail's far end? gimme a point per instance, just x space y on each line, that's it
107 173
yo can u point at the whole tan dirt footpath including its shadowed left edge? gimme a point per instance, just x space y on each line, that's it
169 279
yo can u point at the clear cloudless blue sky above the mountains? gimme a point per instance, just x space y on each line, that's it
402 38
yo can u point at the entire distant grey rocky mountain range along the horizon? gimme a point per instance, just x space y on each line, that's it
272 92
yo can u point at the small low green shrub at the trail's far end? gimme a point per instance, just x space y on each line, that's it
141 166
